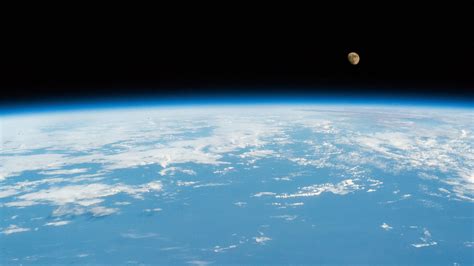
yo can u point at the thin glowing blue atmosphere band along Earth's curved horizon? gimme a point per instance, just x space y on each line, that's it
190 101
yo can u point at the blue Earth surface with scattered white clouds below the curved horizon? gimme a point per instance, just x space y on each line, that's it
238 184
